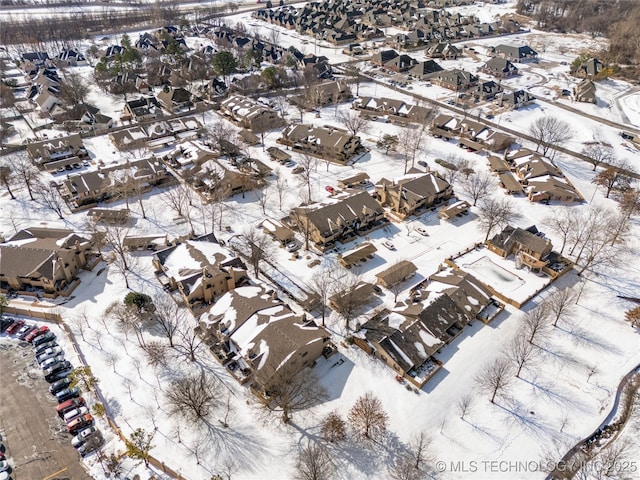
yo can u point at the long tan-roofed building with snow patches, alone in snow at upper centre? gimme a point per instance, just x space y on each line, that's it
328 143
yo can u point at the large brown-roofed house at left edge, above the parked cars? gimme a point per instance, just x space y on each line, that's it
44 260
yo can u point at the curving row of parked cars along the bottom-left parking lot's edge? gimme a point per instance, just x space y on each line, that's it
56 369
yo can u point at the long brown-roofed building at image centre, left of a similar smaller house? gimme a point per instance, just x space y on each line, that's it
339 218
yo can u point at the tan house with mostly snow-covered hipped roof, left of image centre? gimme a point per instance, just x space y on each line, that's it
200 269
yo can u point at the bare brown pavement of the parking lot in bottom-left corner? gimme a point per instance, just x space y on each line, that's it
37 443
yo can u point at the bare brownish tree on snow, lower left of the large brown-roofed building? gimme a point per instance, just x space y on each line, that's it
193 397
